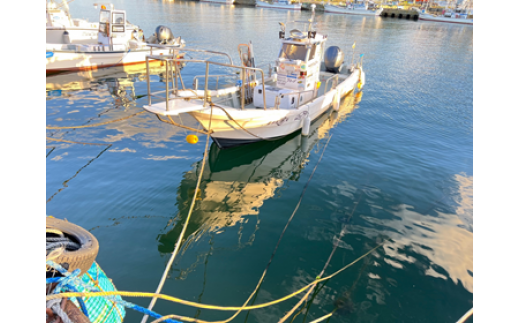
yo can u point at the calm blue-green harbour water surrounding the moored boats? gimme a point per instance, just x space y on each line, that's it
399 165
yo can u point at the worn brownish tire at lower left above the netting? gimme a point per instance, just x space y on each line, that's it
71 235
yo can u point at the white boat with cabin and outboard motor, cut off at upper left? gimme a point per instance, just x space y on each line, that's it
117 43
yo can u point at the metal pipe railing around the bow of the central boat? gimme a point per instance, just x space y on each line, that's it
171 62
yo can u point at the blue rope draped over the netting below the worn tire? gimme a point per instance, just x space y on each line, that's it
70 280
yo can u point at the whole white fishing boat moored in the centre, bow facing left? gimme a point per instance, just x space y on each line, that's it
266 108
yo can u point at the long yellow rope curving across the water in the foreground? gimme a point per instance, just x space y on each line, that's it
205 306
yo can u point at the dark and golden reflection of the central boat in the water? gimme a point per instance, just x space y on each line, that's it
237 181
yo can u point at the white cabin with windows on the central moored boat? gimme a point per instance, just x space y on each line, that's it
298 71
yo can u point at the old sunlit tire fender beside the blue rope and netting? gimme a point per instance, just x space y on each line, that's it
84 256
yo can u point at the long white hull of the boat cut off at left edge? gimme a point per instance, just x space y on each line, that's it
68 61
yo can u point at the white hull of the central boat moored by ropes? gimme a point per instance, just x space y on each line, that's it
252 125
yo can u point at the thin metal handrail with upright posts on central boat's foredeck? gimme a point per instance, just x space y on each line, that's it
171 58
